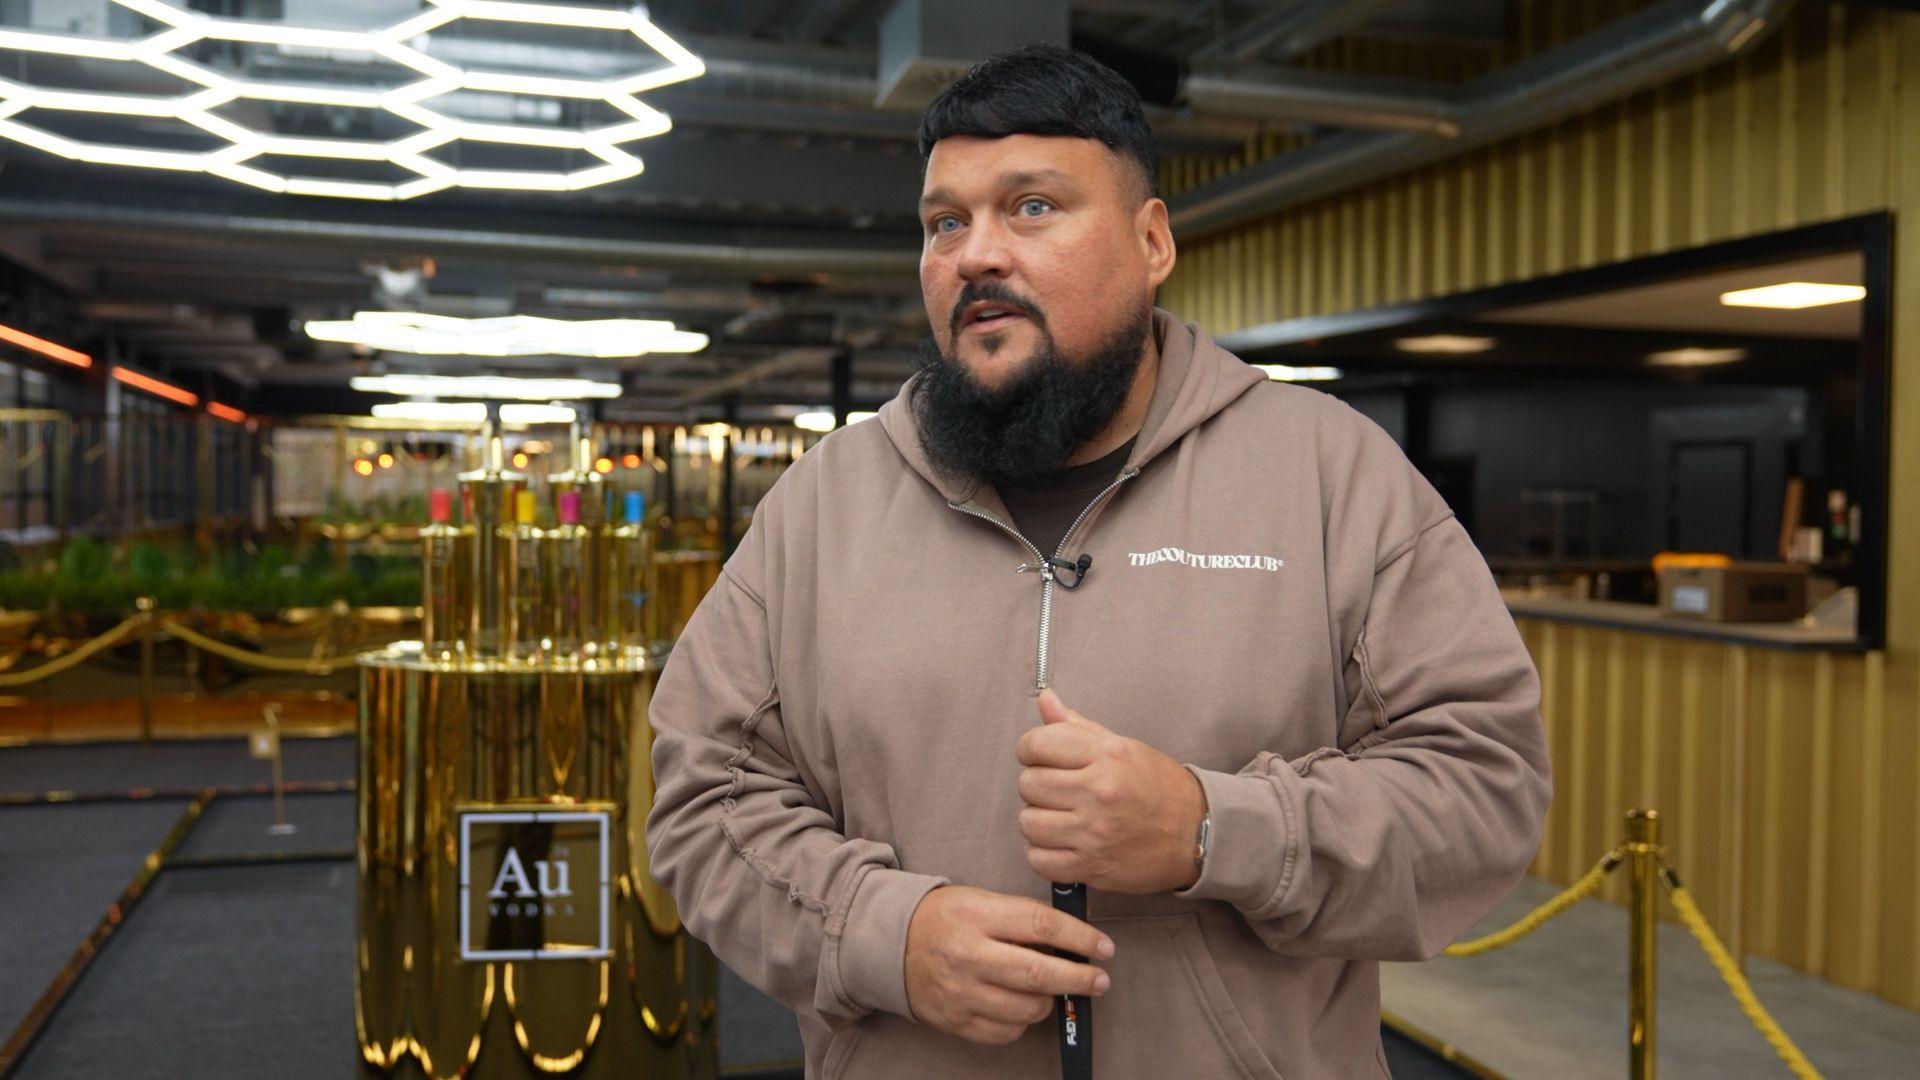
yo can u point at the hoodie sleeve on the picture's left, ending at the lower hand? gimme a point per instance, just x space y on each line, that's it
748 848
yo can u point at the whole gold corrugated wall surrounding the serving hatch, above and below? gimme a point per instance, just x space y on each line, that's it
1788 779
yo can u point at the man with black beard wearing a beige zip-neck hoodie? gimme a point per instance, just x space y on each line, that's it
1092 602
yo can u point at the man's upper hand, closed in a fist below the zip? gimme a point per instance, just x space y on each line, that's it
1105 810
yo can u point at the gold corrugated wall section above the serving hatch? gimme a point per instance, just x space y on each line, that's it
1798 132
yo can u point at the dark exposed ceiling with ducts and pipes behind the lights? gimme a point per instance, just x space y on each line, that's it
777 216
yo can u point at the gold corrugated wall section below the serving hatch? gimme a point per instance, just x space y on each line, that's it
1779 775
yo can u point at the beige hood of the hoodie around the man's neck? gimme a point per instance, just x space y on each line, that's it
1195 381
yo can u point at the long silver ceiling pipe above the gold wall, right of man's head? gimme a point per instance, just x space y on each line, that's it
1631 55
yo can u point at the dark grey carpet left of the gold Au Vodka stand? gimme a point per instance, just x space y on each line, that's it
224 971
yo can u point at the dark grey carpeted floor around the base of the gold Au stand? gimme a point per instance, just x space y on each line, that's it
170 994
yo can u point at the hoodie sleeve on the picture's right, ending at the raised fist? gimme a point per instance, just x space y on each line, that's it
1393 847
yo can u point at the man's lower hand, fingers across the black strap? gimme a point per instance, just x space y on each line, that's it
978 964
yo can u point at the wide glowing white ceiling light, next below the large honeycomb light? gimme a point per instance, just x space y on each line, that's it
512 335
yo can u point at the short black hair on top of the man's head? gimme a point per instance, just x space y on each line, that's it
1045 89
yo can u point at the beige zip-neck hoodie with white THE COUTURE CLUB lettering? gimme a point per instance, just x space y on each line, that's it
1278 601
